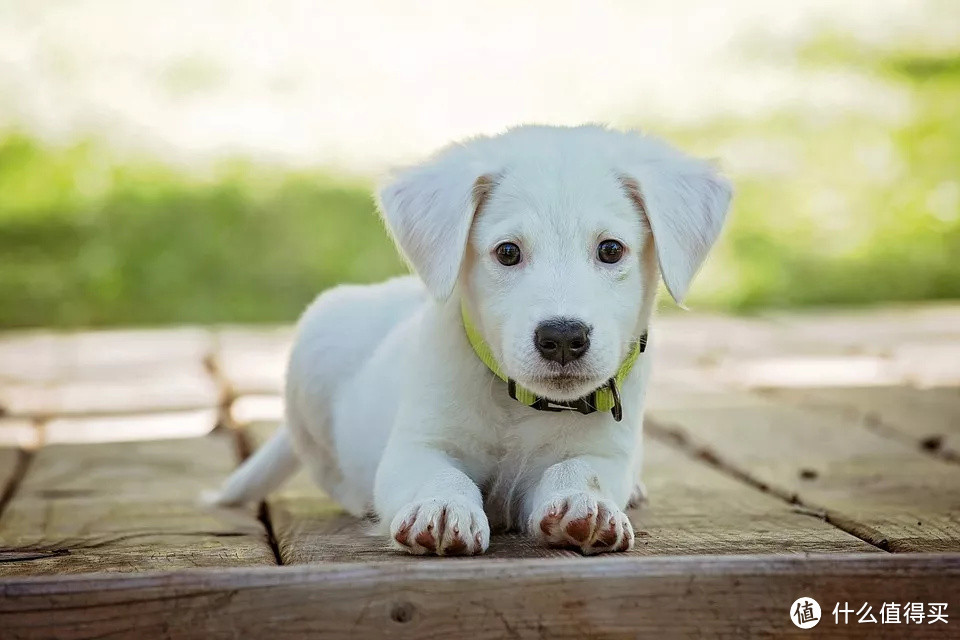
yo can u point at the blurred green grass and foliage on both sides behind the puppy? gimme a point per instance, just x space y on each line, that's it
832 207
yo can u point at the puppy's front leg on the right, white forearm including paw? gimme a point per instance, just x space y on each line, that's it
573 506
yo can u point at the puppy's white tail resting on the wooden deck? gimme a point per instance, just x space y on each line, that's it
260 474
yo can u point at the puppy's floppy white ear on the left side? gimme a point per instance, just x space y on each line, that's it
429 210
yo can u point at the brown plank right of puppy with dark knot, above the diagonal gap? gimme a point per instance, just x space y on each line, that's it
883 491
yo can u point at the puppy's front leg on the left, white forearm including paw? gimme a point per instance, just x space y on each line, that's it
432 506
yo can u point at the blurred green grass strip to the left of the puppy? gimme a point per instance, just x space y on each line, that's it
84 242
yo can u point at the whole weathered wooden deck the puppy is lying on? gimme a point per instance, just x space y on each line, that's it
787 456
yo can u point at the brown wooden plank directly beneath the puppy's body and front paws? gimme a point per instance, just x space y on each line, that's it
694 509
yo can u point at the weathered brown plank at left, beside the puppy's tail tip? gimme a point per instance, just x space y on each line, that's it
126 507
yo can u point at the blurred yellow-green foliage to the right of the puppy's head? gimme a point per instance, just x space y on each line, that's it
848 209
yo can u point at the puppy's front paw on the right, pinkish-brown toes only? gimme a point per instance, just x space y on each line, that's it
583 521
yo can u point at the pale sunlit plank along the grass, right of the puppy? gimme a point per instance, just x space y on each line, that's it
918 346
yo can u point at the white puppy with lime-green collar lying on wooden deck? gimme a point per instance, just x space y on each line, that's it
547 244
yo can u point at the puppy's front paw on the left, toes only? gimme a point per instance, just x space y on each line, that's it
441 527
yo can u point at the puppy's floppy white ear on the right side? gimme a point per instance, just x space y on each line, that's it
685 202
